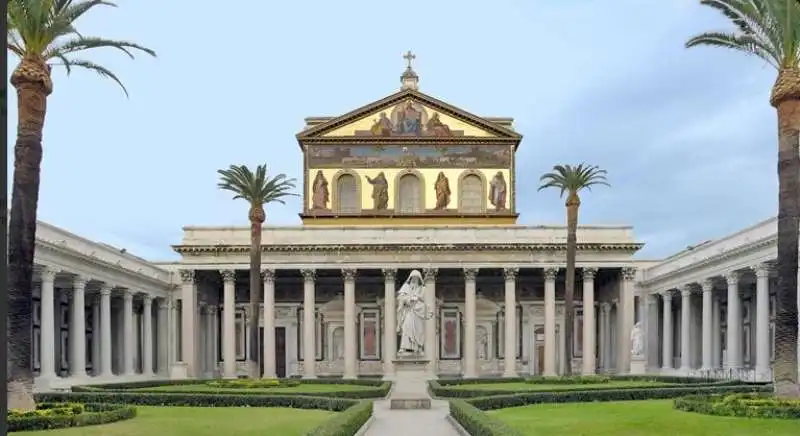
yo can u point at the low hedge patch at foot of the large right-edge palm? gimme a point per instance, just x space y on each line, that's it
758 405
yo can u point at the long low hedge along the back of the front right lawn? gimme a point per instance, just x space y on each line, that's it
514 400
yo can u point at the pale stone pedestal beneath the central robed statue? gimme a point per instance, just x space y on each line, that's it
410 389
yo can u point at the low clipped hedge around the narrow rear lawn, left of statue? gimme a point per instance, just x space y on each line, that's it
379 388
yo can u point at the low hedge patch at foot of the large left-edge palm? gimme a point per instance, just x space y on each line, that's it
62 415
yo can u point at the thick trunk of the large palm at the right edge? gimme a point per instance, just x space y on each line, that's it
785 370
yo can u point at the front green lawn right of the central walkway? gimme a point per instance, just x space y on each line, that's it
634 418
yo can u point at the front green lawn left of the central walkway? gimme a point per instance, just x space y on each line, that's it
204 421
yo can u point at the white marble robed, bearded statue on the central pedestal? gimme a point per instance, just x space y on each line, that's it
411 315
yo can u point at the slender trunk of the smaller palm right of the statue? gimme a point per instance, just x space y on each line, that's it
573 202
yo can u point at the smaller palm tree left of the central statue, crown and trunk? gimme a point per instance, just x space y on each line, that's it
258 190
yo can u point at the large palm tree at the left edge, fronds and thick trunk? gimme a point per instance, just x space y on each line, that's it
42 34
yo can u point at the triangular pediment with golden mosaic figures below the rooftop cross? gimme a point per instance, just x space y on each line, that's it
409 114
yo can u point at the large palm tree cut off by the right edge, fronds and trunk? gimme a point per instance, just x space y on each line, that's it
770 30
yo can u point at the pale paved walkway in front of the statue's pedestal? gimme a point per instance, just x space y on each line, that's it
431 422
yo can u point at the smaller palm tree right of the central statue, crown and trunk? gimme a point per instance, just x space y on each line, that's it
571 180
